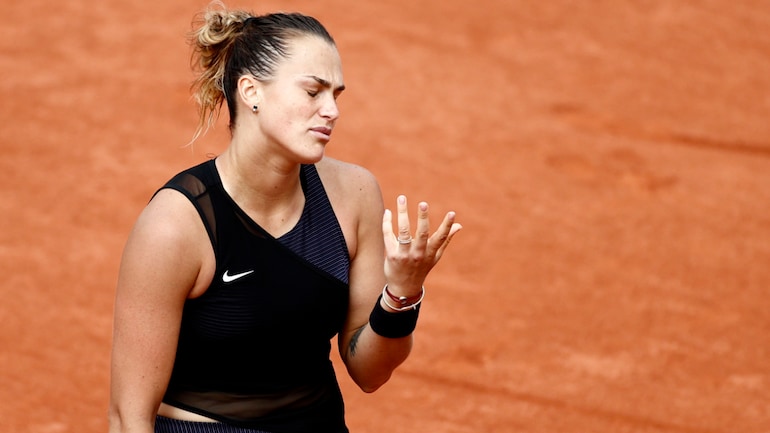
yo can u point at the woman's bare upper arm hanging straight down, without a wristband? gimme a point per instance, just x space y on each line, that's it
161 265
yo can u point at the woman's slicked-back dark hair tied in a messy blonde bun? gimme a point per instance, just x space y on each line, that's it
227 44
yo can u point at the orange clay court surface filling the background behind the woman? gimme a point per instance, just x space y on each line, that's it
610 162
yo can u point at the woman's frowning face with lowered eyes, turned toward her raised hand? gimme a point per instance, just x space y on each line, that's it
298 108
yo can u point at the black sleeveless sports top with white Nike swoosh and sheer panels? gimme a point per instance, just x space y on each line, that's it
254 348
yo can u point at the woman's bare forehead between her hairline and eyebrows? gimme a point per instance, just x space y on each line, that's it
312 56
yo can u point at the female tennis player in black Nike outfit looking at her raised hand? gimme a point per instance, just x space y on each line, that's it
241 270
